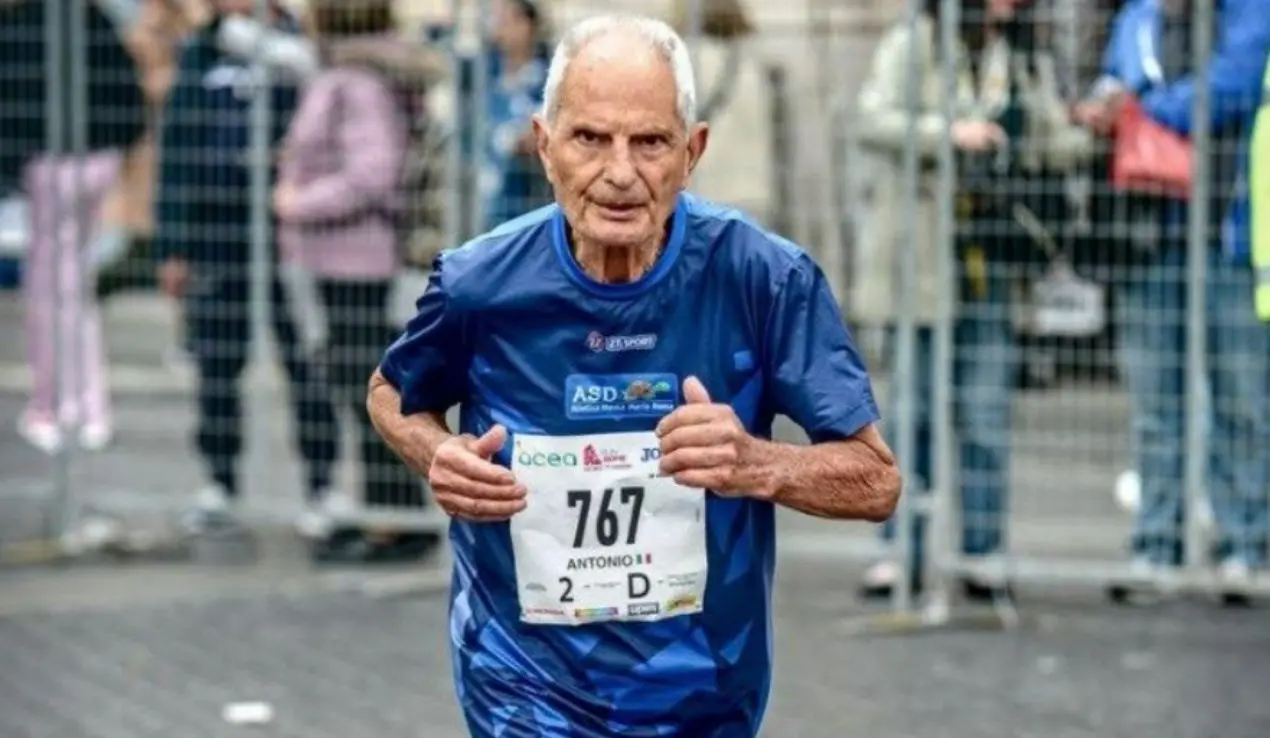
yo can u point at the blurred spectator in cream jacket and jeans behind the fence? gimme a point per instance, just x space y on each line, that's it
1010 128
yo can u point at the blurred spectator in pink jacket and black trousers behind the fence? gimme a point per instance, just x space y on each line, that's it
338 200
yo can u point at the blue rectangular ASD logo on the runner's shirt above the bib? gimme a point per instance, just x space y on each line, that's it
615 397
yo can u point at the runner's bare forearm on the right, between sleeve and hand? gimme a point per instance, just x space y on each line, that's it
853 480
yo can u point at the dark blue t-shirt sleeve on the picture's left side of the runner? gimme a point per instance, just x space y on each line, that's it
429 364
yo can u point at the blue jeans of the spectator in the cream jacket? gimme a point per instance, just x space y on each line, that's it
986 358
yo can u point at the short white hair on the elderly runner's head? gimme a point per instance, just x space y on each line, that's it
660 37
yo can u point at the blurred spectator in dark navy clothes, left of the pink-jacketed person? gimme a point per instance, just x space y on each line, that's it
205 250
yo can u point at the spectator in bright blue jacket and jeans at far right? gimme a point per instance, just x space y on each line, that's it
1150 58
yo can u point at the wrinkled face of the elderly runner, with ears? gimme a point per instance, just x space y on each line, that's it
618 153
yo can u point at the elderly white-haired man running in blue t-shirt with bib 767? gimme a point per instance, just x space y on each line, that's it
619 359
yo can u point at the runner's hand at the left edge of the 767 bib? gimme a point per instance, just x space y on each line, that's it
468 486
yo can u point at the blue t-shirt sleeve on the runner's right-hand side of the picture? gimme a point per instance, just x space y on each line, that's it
817 377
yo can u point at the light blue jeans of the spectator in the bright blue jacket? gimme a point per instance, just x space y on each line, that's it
1153 317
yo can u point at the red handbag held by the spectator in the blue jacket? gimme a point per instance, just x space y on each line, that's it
1147 158
